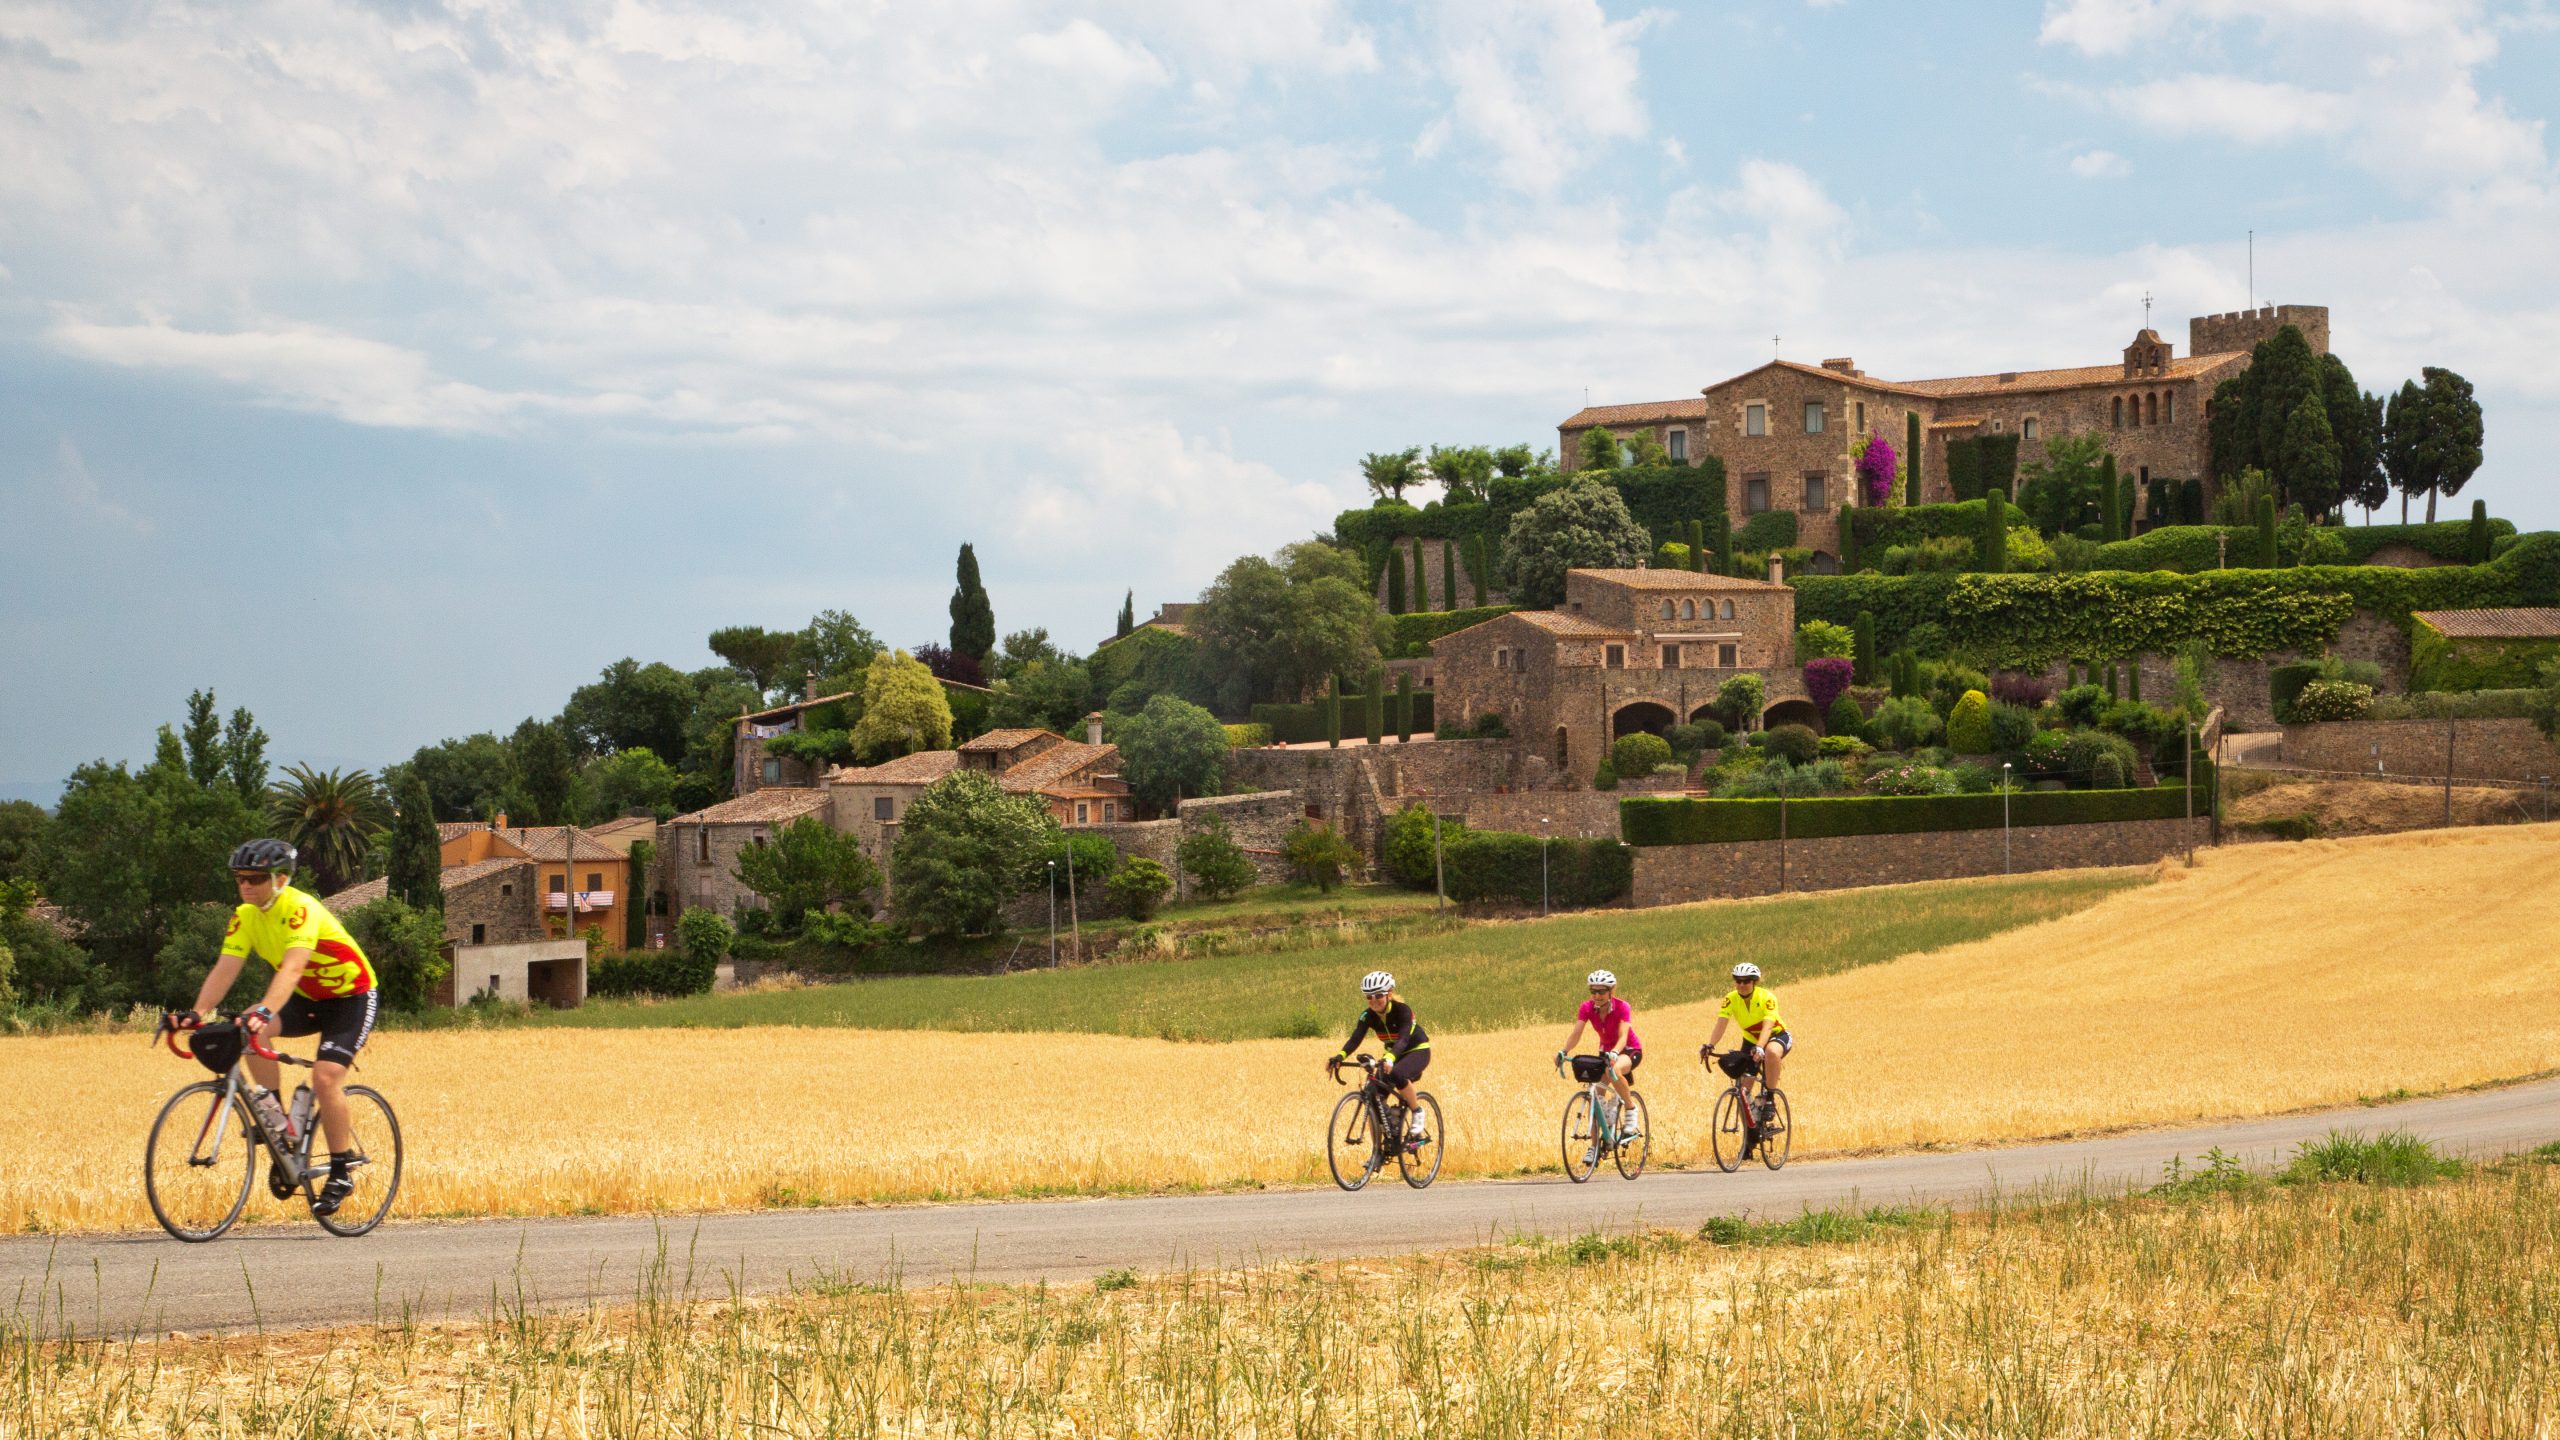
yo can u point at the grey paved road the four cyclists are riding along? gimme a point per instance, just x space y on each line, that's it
122 1285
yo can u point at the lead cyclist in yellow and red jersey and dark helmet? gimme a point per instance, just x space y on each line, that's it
324 988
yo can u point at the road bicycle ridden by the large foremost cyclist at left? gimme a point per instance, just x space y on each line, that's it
204 1149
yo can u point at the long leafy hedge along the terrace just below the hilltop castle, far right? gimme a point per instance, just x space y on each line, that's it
2036 619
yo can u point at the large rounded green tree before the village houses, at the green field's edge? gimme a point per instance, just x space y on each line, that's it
964 852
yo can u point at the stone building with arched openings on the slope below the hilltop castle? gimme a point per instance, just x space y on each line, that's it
1629 650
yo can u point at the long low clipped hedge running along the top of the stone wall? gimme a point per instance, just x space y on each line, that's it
1729 821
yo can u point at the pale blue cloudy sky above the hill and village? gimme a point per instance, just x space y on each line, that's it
396 365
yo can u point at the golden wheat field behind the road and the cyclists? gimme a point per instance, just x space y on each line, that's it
2269 978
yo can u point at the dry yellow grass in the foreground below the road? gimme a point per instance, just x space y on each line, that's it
2308 1313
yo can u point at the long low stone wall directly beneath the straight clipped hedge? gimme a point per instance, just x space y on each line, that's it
1673 875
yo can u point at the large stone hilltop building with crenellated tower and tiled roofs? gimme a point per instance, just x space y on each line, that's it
1788 434
